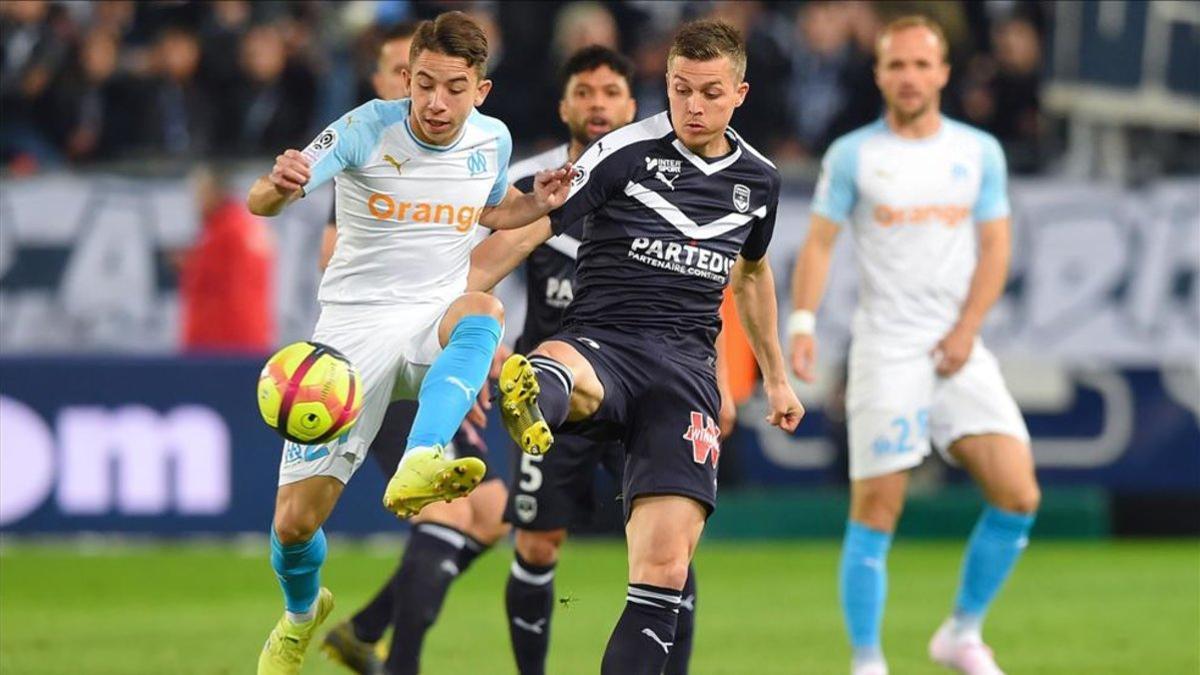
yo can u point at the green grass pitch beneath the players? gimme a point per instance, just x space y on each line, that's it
765 608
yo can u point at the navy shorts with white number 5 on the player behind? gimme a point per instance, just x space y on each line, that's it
557 491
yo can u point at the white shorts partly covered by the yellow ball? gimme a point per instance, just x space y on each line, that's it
392 347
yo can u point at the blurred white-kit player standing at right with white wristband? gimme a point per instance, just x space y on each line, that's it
925 199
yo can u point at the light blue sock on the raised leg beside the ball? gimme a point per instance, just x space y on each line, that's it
454 380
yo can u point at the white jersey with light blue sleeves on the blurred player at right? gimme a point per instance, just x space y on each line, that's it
913 207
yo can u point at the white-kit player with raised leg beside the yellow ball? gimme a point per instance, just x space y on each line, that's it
415 180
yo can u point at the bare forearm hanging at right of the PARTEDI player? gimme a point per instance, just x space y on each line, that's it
754 290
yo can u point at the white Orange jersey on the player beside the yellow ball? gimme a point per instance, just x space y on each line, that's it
407 212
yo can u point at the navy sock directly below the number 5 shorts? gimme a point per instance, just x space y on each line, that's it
530 601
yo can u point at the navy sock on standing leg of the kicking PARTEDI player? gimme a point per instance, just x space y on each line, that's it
645 634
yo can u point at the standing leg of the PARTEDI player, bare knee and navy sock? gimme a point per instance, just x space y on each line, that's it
662 535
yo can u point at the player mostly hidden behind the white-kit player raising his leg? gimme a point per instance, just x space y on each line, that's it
447 537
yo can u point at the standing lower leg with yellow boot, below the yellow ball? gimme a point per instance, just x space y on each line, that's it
298 552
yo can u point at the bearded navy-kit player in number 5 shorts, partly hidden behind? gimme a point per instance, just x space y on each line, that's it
550 493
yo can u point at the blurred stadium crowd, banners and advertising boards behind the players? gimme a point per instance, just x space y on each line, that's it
106 107
